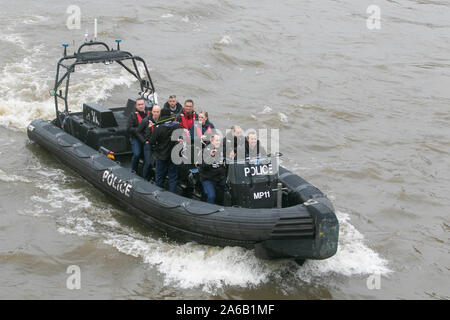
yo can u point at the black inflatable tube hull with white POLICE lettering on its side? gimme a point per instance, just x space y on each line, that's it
305 231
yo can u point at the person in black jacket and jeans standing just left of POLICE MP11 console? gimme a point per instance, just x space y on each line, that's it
212 170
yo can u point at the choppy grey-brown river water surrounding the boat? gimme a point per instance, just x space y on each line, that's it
363 115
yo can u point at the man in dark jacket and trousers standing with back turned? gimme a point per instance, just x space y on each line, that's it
162 144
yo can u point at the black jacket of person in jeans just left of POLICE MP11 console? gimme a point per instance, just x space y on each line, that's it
212 168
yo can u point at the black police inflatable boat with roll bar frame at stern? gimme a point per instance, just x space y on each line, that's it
266 207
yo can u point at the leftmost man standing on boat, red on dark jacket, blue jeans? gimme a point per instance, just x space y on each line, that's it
134 120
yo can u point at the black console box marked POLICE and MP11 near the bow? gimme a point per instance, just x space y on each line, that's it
252 182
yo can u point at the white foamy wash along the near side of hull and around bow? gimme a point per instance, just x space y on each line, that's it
192 265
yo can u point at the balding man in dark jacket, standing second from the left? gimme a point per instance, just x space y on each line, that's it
144 132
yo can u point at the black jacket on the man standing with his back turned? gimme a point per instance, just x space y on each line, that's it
161 139
